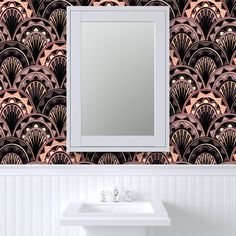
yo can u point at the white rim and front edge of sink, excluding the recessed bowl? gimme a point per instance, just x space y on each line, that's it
71 216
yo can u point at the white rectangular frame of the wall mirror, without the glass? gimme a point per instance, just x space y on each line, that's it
76 142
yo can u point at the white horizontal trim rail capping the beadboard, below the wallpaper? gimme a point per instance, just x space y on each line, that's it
120 170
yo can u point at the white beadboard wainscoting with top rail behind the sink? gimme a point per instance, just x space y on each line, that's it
201 200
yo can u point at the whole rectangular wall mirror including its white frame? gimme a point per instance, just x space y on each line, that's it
117 79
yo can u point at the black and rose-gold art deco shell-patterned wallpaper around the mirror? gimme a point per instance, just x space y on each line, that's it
33 83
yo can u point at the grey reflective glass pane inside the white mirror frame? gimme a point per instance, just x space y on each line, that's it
117 78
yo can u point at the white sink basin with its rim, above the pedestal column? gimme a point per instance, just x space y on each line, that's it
115 214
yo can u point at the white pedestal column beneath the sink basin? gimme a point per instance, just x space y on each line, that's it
115 231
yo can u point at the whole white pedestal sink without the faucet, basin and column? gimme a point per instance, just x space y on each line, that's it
115 219
